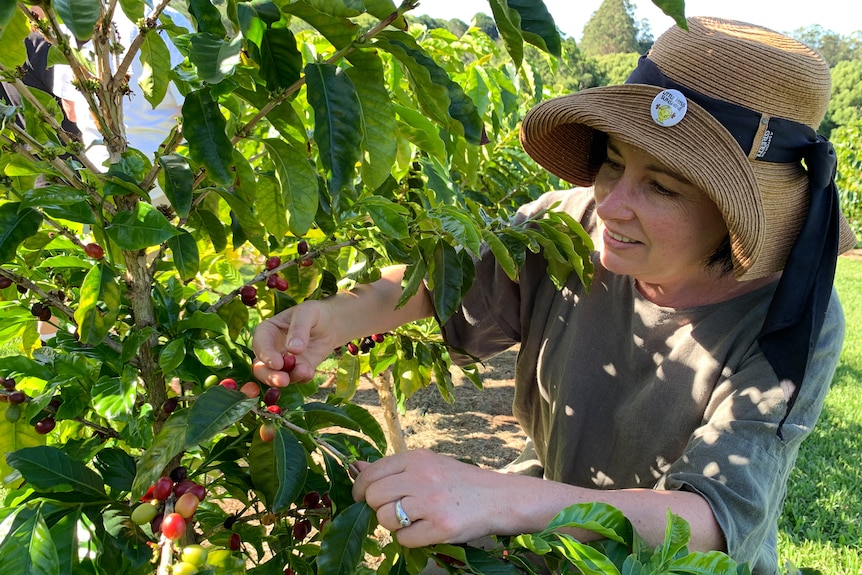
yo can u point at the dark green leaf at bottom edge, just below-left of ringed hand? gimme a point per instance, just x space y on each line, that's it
341 548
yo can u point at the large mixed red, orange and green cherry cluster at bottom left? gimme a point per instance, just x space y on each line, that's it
184 496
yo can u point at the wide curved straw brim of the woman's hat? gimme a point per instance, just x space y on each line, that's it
559 134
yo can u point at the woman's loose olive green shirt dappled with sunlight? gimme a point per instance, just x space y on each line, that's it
617 392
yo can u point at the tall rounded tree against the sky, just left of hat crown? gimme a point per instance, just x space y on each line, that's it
611 30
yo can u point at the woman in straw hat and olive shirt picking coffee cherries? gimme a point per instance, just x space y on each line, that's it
688 375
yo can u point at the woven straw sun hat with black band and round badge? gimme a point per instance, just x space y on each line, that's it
753 99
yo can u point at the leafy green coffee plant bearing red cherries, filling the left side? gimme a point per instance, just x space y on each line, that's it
317 142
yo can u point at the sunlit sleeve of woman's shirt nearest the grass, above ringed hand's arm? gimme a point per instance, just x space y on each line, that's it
737 461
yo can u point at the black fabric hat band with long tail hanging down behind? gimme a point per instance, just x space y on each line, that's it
798 308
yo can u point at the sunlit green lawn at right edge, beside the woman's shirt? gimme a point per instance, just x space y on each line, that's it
821 528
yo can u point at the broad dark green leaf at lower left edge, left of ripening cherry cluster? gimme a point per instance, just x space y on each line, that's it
48 469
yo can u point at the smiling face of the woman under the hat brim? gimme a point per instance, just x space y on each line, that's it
656 226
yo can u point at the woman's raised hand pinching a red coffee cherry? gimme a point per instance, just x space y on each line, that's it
305 331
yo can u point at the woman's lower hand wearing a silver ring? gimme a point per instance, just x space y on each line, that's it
445 501
